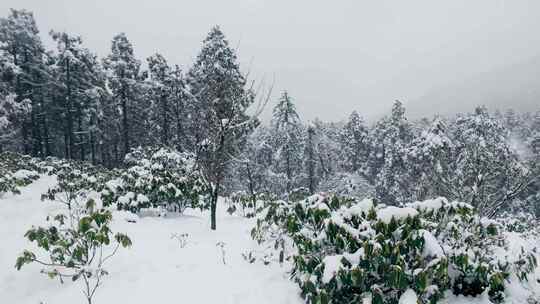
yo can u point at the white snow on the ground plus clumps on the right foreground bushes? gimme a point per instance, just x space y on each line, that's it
157 270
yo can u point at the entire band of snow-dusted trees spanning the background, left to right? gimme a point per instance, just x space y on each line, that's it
69 103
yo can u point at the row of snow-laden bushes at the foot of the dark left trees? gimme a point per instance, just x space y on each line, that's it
153 178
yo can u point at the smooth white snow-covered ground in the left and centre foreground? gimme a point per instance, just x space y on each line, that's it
156 269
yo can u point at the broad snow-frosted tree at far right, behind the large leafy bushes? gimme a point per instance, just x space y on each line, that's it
488 171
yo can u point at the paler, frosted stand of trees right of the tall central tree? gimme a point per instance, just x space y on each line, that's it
487 159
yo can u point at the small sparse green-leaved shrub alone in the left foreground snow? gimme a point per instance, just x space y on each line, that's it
77 245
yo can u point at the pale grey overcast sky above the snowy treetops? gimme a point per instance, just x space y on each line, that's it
334 56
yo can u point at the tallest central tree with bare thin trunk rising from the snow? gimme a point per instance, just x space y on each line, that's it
218 103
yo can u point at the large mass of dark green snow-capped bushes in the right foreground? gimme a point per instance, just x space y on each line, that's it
344 251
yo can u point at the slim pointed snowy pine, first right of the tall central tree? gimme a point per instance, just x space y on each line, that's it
287 140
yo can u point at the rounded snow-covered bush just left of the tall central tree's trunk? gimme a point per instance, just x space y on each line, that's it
156 178
